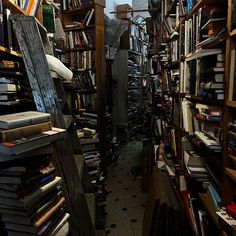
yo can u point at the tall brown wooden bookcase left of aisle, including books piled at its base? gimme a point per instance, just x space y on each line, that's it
83 23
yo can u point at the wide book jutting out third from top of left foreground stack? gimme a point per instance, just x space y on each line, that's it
16 147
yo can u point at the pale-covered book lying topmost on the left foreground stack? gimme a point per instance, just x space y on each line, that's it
16 120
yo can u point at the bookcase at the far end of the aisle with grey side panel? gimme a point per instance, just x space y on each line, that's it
128 73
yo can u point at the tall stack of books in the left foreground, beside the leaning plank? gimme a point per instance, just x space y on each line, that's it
31 200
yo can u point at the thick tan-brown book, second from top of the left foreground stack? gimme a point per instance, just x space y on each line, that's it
24 131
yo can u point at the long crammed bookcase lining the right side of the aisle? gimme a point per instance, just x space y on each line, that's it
195 53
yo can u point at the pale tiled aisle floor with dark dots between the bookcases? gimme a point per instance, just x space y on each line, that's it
125 201
